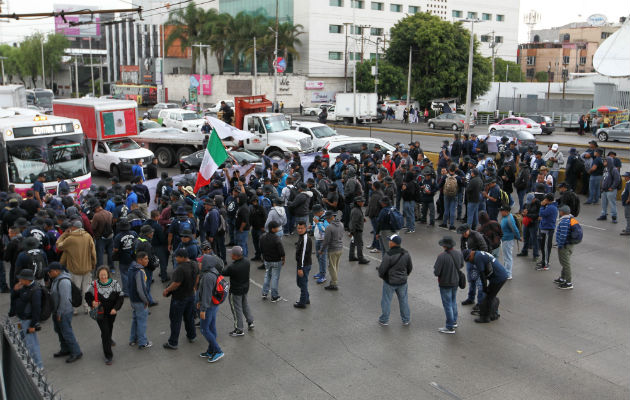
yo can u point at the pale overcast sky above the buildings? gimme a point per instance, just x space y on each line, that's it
553 13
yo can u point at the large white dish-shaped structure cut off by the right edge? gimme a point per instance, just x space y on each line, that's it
612 58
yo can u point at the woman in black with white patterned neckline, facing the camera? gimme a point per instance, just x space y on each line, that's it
107 293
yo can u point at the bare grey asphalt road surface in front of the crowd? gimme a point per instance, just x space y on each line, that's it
548 343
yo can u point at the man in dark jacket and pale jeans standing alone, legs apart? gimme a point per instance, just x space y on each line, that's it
394 270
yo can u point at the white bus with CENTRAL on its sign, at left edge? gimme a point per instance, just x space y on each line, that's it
32 143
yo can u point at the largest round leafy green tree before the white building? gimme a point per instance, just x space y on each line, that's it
439 57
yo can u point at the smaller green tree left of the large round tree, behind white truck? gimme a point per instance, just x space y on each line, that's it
392 79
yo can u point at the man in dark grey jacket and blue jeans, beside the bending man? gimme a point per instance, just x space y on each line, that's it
446 268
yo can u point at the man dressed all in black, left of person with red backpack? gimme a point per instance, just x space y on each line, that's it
182 292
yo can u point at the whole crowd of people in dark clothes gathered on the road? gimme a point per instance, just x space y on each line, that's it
65 251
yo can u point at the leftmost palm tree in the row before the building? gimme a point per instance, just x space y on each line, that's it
187 28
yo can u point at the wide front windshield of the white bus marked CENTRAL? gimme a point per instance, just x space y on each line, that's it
64 156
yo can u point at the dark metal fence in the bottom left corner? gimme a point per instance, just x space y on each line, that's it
19 376
